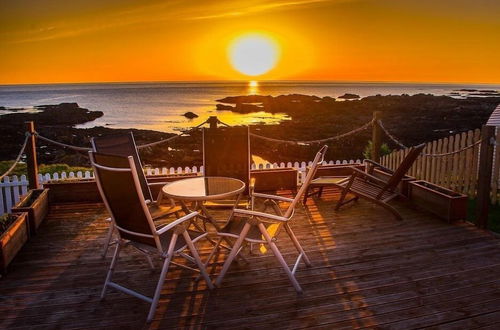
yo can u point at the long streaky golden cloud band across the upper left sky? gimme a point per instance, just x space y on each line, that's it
156 12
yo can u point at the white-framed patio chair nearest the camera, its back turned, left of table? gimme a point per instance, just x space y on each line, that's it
120 189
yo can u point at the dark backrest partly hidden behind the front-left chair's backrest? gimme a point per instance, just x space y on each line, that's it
123 145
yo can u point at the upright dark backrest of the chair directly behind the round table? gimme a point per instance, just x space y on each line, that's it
226 152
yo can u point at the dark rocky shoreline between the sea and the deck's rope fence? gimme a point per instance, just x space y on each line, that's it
414 119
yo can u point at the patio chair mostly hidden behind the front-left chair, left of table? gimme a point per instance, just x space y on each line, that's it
124 145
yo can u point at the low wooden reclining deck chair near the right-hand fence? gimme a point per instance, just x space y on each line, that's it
365 185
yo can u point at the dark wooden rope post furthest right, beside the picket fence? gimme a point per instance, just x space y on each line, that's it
484 175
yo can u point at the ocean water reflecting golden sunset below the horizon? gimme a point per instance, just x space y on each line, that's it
160 106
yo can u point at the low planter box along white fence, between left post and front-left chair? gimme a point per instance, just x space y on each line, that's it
73 191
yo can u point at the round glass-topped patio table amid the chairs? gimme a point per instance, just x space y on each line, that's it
203 189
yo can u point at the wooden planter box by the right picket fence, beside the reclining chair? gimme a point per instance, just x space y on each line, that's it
444 203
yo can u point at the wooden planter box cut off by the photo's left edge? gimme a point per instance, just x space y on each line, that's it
13 239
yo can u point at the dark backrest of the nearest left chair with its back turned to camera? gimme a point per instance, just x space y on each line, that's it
120 190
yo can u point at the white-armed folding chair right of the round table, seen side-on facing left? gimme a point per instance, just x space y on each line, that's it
256 227
